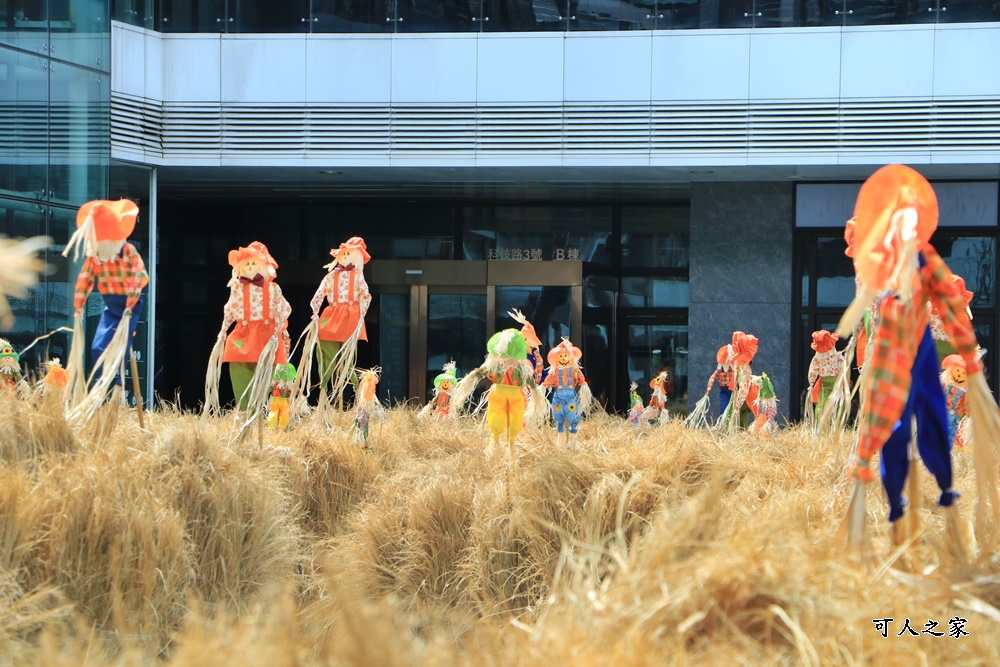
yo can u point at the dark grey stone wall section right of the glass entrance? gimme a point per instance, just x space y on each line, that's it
741 279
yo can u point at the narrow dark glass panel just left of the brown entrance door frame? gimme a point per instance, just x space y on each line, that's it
394 347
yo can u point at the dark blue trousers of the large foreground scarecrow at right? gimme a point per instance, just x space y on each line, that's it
926 401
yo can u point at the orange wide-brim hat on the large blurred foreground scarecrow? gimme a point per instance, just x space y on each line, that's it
878 243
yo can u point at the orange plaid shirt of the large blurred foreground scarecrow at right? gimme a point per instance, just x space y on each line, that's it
900 329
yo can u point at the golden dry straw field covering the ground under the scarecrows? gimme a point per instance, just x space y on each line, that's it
657 546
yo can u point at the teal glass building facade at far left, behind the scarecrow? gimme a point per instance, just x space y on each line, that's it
55 150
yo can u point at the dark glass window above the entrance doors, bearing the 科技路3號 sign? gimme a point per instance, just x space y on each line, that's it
538 232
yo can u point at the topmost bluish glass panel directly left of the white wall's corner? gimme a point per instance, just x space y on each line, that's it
80 32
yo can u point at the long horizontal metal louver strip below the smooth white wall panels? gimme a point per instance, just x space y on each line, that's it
213 130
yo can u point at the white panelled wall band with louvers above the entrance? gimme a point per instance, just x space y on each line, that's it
867 94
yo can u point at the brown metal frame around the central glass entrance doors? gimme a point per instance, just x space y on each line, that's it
426 277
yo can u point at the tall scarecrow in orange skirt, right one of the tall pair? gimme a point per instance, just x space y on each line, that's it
337 329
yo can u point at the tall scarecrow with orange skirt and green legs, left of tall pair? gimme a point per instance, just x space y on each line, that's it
259 312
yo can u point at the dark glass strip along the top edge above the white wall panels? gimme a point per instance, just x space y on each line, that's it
418 16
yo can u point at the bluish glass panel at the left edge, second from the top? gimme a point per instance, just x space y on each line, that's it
24 101
